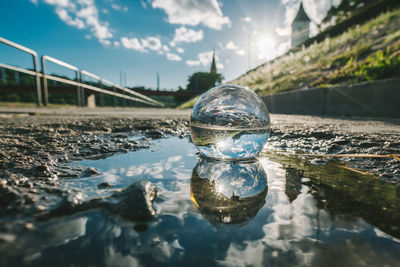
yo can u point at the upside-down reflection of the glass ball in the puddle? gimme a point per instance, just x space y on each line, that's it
228 192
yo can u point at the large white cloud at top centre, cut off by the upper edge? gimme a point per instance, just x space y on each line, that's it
193 12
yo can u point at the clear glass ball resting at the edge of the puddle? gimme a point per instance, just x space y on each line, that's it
229 122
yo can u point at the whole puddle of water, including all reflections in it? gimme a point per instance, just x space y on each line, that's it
278 211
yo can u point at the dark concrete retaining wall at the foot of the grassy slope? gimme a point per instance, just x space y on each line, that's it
372 99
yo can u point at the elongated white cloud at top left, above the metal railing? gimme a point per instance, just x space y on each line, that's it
83 14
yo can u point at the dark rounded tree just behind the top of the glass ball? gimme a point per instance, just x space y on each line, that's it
202 81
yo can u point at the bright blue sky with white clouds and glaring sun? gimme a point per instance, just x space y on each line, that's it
140 38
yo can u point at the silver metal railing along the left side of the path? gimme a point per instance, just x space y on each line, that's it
117 91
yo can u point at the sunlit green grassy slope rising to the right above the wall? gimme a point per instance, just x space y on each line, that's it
363 53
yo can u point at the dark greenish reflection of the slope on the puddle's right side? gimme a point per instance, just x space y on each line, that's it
346 194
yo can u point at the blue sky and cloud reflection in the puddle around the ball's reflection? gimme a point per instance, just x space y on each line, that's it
283 233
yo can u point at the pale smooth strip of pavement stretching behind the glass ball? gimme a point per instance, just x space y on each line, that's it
344 124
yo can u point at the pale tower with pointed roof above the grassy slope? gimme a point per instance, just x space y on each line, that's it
300 27
